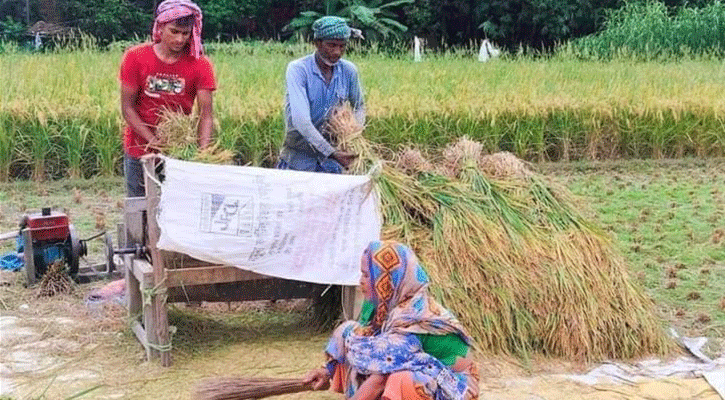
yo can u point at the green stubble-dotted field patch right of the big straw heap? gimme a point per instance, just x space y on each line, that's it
668 218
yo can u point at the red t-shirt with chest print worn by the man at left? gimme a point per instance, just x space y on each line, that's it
160 85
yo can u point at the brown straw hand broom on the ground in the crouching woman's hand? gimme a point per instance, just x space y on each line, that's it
241 388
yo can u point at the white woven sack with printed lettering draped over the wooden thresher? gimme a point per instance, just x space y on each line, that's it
304 226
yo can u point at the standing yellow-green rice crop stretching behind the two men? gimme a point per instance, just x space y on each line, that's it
540 109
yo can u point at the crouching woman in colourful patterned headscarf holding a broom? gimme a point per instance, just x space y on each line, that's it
406 346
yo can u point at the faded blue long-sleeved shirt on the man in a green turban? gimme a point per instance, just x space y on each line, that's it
310 99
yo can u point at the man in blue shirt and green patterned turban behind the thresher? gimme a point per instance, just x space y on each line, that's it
316 84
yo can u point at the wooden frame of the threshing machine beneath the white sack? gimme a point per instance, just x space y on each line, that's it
175 277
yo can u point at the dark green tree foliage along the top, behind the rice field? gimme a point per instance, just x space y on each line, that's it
539 24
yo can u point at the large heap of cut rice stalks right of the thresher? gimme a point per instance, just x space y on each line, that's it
510 255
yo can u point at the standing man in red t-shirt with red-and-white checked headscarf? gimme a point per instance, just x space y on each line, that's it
170 73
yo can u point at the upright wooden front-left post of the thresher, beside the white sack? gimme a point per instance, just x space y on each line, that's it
158 302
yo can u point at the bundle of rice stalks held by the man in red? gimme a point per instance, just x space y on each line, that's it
177 134
